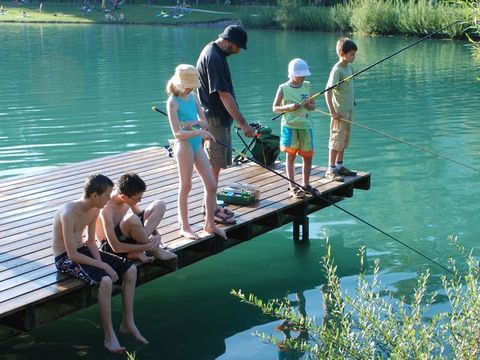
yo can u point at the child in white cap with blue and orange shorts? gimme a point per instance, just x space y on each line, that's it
296 137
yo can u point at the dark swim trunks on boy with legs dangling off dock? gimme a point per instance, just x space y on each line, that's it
92 275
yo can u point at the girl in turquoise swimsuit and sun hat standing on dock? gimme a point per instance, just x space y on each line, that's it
189 127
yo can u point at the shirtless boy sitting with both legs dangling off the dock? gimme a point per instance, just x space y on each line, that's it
81 258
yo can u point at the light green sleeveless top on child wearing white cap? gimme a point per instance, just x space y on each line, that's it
296 119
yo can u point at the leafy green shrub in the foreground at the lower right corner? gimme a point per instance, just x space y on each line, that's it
373 323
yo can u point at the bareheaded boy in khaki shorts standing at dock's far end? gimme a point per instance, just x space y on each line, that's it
341 104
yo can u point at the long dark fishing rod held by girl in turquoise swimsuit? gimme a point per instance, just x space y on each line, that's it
331 203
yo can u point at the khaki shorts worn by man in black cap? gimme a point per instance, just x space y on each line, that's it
219 155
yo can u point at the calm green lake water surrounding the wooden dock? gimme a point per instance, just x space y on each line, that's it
72 93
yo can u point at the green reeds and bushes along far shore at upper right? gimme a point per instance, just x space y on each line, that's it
374 17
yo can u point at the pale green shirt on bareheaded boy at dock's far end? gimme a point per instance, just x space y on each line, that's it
343 96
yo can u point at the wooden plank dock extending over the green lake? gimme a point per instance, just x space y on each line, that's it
32 292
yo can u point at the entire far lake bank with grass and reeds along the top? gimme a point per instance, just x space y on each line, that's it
372 17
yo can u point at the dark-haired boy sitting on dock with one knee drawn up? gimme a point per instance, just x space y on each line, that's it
130 234
